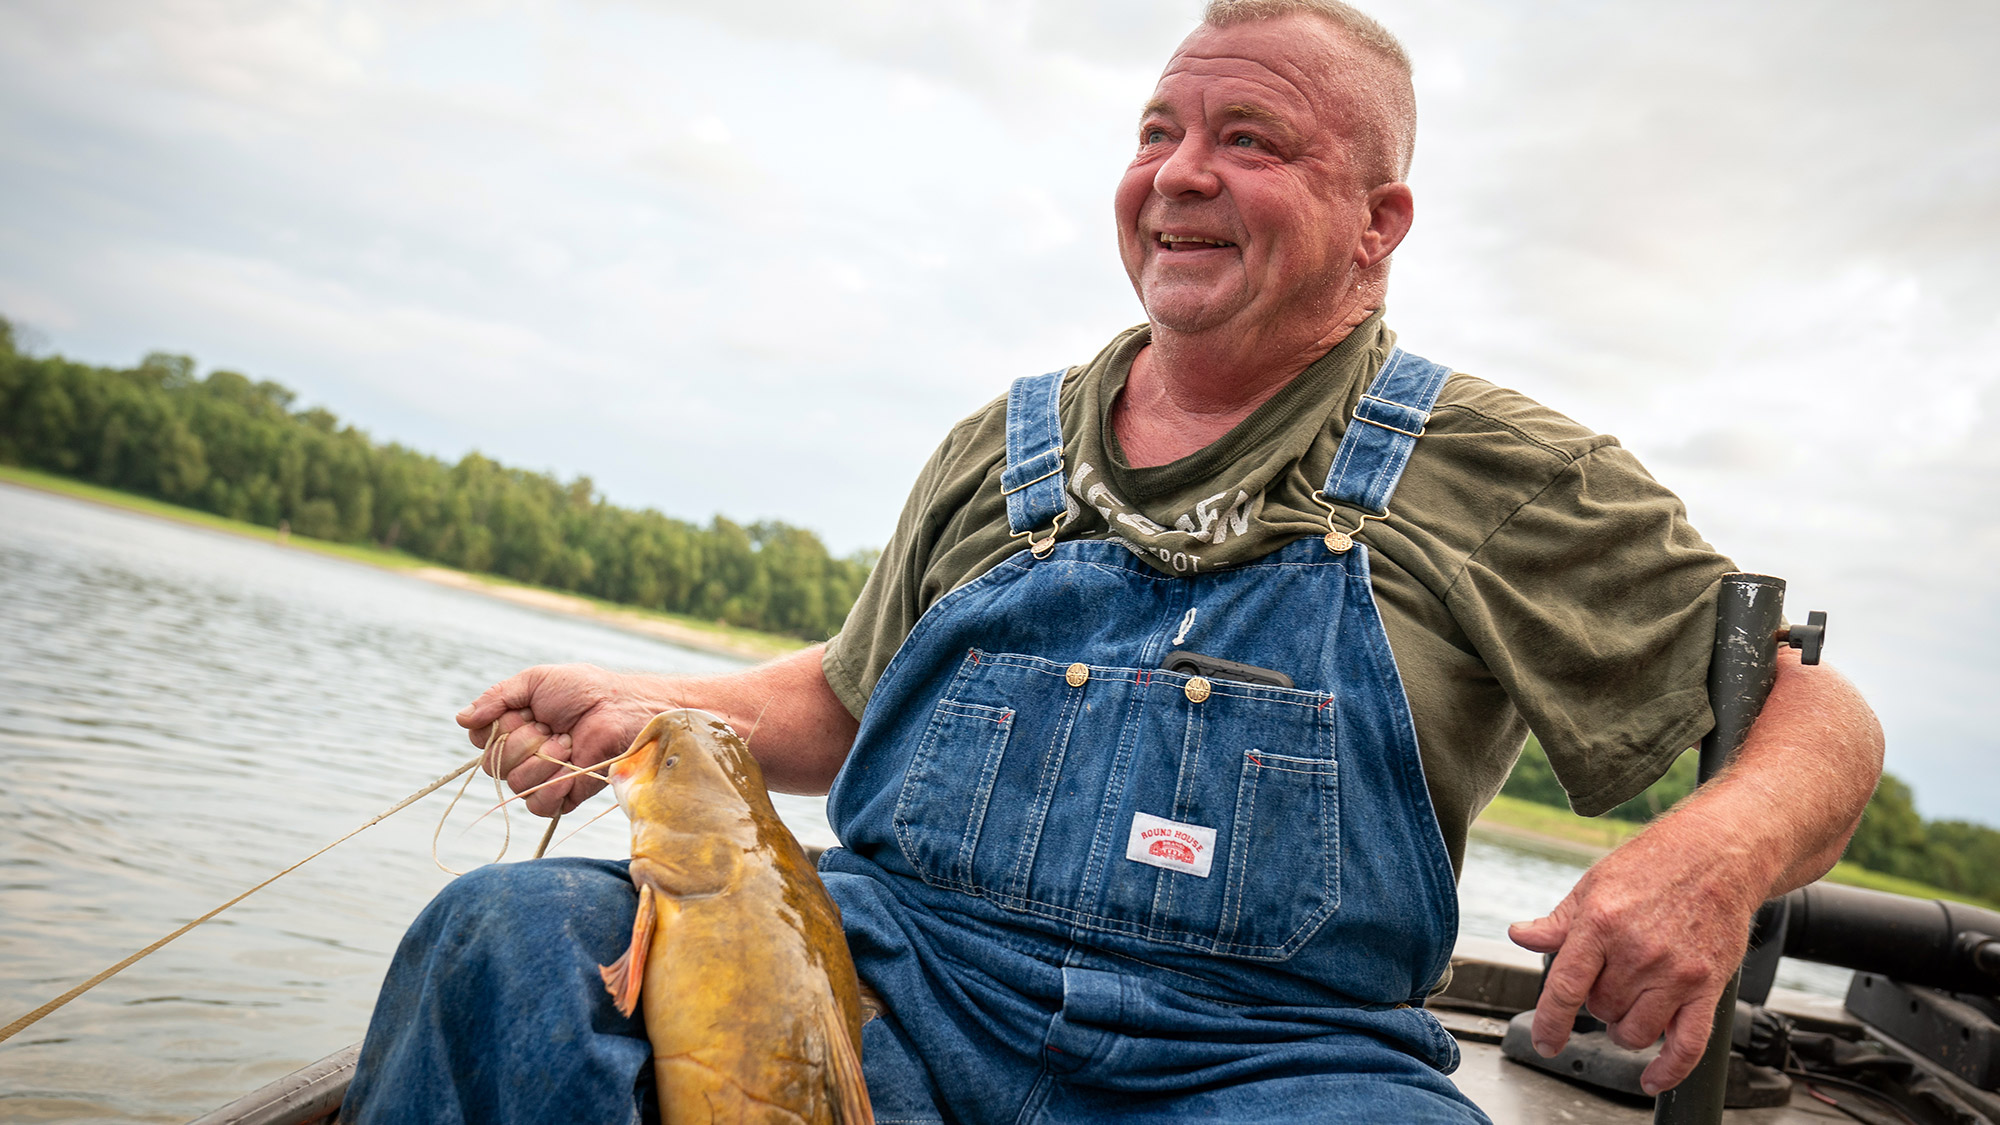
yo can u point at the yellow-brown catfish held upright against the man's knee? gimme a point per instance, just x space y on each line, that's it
749 990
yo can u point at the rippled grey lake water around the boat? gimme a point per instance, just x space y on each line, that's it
185 712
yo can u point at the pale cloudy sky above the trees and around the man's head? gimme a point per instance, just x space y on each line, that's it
755 259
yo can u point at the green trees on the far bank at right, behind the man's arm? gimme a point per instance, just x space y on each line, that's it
1893 836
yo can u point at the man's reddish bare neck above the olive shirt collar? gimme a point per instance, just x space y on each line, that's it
1187 391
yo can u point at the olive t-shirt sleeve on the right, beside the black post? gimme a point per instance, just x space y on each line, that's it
1595 608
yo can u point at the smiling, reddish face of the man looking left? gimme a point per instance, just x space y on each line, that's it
1245 205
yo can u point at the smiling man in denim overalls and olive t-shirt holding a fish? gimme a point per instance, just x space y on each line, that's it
1091 886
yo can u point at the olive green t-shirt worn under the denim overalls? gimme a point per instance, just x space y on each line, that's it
1531 574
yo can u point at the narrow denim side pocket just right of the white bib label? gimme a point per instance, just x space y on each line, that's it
1285 874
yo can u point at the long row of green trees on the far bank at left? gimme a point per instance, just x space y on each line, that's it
241 449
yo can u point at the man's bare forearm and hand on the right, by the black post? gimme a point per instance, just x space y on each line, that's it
1653 934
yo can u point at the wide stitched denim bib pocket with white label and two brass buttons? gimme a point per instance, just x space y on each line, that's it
1129 802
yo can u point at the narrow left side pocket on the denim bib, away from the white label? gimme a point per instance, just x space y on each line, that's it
949 788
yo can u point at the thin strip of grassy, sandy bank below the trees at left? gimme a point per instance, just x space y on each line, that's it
687 632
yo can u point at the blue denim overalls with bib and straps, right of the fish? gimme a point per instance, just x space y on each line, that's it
1089 886
